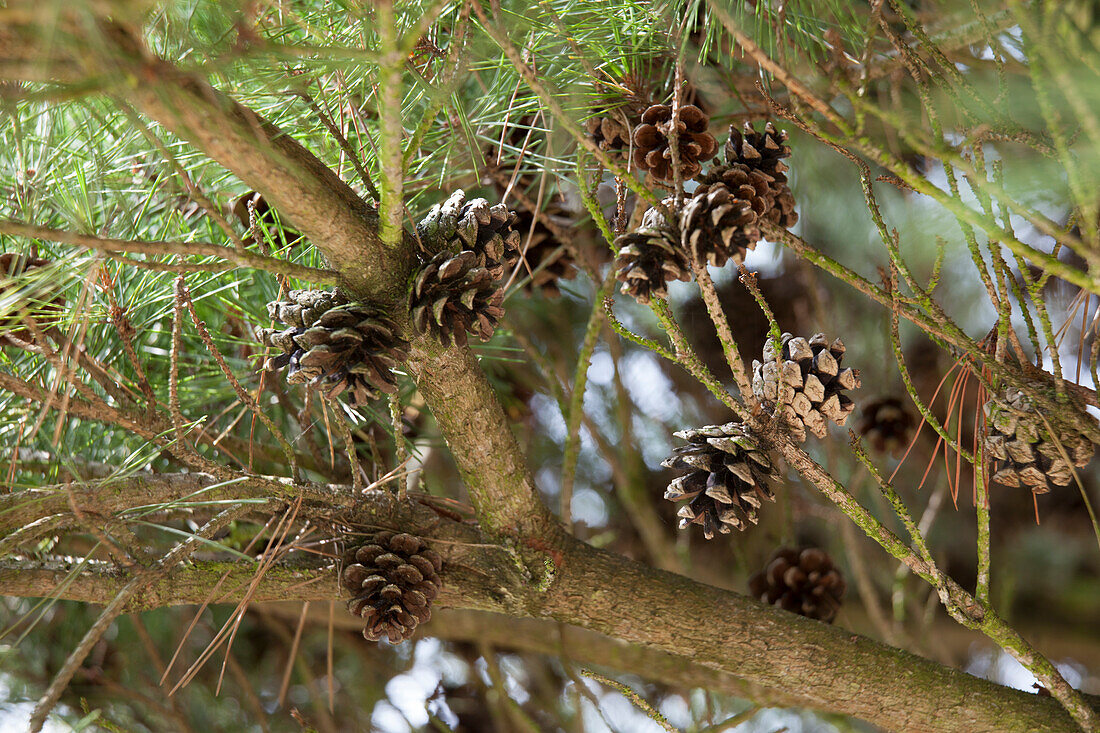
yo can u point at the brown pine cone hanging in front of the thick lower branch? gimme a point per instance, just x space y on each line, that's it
393 579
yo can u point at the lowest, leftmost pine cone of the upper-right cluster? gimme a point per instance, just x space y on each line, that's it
651 257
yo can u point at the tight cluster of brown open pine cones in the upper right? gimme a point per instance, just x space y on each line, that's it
721 220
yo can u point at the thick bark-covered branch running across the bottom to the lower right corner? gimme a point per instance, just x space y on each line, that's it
827 668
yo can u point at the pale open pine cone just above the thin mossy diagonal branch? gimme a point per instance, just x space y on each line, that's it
805 385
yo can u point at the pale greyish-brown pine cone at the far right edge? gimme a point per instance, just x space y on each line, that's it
1019 440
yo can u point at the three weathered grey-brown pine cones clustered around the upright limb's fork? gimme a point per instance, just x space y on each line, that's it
339 346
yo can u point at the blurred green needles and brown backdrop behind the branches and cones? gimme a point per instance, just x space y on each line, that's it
71 160
